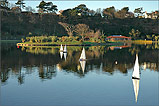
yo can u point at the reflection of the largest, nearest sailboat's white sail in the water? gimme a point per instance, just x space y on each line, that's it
136 87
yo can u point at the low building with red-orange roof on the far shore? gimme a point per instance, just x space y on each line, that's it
117 38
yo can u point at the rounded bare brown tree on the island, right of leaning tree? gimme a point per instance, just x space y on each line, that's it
82 30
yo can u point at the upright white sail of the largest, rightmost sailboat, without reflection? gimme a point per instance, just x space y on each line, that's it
136 72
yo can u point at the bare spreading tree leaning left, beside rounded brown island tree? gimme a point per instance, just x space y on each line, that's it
69 28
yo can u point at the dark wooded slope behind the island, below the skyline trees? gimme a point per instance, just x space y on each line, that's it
18 25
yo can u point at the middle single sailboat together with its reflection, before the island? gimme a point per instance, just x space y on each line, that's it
83 60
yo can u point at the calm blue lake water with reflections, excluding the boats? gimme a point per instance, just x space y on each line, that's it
42 76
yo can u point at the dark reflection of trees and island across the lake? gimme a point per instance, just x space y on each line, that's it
46 60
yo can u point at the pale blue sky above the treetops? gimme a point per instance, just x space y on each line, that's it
148 6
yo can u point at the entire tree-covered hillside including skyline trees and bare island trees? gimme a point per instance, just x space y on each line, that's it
17 24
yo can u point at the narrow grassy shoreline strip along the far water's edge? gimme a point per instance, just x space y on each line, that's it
79 43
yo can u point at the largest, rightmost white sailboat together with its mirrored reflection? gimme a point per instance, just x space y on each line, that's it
136 78
